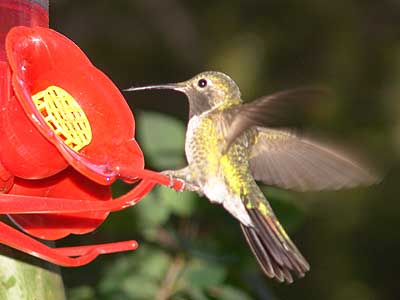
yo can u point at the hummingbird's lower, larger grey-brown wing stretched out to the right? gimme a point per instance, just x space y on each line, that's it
283 159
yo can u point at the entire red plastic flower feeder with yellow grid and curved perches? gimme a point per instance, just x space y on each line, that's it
66 135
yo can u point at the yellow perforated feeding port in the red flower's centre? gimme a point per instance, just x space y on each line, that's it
64 115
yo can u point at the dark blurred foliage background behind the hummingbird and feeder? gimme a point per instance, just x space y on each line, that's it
193 250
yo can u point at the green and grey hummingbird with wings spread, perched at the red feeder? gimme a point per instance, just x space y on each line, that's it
231 144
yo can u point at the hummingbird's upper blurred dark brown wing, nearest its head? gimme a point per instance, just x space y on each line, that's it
276 110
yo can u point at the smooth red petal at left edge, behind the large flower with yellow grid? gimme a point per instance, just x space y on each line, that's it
23 147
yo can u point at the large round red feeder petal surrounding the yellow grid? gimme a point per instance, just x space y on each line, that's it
41 58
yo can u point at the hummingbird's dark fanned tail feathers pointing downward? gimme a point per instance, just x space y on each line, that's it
275 252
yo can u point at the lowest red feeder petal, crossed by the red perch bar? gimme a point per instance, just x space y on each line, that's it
68 184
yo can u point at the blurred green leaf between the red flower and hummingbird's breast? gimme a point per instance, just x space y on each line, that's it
162 138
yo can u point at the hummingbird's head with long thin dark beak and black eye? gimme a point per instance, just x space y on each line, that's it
205 91
